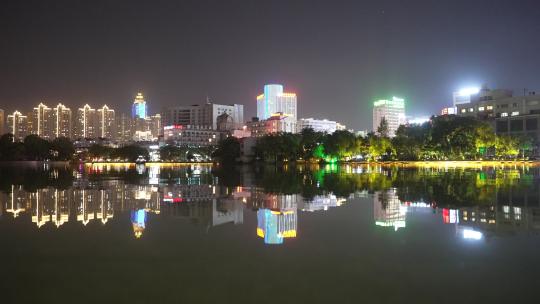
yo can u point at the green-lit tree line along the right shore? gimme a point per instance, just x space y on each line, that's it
447 137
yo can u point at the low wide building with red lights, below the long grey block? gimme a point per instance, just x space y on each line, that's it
191 136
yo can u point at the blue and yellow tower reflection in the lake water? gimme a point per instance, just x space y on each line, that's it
275 226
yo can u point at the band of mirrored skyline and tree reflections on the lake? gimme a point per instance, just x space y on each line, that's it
479 203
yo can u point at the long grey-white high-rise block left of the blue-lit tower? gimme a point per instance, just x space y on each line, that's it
202 115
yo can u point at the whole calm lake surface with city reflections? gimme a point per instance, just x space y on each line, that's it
192 234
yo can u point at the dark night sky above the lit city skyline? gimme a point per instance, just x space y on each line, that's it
338 56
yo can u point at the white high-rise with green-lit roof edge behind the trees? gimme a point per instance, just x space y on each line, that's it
393 111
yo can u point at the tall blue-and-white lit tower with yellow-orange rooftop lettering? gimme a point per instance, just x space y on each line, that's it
274 100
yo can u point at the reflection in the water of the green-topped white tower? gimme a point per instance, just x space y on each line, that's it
388 211
